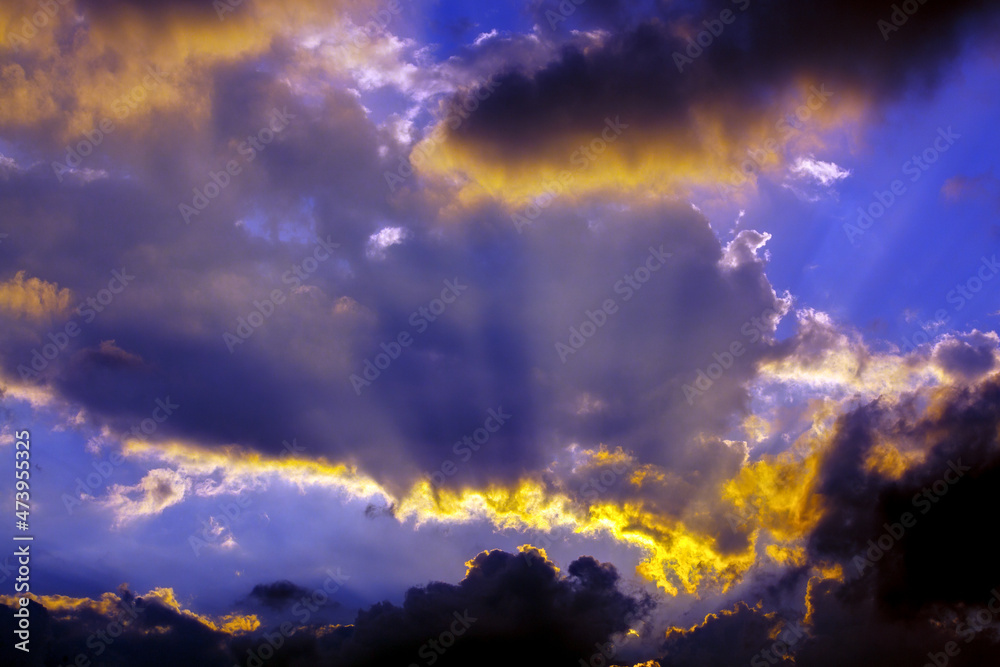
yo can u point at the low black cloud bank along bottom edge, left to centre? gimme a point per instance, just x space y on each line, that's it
510 608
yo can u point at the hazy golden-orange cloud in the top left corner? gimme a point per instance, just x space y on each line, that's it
122 62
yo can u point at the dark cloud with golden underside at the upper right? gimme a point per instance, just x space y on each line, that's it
769 61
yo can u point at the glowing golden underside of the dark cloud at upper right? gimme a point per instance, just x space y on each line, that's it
711 146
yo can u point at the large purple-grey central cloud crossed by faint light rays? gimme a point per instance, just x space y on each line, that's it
495 347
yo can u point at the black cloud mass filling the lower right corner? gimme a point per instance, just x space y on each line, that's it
912 586
